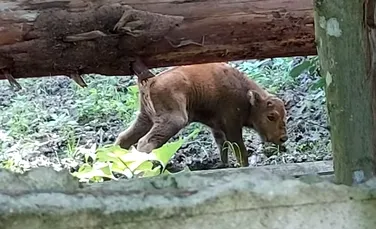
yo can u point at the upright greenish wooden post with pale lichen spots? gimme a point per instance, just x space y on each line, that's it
346 50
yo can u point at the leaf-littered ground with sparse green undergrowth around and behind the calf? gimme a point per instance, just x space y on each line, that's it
43 123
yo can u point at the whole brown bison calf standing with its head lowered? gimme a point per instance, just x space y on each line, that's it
214 94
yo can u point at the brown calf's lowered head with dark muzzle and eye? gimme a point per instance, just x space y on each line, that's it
268 117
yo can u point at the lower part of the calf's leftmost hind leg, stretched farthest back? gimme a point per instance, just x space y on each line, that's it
134 132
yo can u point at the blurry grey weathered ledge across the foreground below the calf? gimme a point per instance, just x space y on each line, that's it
250 198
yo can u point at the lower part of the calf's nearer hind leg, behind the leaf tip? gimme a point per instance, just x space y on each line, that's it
163 129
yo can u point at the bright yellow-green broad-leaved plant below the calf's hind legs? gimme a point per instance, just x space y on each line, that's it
111 159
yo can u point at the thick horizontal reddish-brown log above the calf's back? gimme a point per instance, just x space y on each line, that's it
43 38
